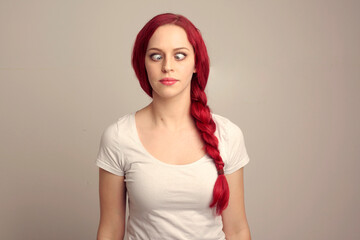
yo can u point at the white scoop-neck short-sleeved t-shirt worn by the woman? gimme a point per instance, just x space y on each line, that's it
168 201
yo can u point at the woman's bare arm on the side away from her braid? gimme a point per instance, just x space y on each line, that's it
112 193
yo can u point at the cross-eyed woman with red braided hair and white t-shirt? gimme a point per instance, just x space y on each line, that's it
180 164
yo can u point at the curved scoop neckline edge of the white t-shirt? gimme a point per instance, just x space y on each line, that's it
144 150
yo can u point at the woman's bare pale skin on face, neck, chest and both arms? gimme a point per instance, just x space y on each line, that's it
167 121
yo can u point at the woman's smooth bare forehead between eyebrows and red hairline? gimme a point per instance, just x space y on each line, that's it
169 36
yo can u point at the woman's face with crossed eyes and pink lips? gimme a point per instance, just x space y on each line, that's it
170 55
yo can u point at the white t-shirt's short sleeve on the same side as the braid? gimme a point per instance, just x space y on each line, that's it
237 156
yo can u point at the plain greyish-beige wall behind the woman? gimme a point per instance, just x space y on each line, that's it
287 72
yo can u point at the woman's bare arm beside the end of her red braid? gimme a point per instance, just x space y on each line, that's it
234 217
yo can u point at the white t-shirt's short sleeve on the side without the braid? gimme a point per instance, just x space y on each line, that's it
110 157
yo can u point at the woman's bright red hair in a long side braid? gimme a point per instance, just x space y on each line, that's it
200 111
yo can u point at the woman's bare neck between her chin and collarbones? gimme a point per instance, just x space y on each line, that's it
173 113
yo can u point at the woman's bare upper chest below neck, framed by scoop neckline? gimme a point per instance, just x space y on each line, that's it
173 147
